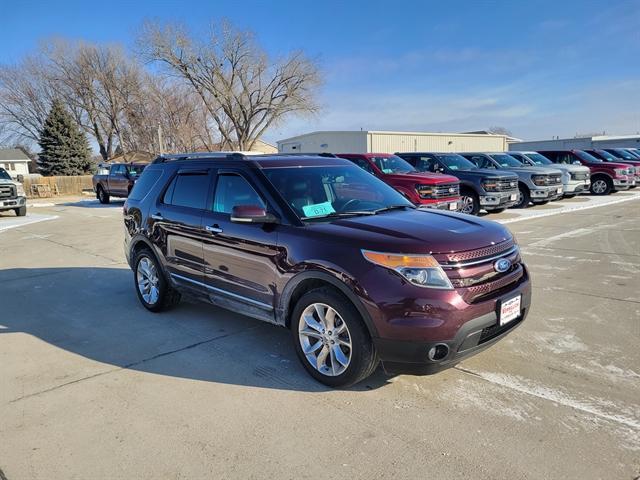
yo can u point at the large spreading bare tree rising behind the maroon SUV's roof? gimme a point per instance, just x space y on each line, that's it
243 91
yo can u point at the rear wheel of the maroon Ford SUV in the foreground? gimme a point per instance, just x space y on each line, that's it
154 292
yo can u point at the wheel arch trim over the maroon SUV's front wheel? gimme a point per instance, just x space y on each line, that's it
310 280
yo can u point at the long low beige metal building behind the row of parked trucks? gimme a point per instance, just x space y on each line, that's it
390 142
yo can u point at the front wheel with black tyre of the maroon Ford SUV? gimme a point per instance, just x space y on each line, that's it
331 339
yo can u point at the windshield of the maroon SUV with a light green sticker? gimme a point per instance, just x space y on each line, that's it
326 192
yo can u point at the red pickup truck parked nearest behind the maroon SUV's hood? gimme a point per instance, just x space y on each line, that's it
426 190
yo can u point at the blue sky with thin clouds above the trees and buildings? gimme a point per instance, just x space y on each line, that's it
539 68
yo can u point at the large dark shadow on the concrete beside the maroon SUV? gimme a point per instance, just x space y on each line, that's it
95 313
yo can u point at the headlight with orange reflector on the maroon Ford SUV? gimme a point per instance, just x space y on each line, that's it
421 270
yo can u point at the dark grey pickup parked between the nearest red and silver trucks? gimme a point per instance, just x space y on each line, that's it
483 188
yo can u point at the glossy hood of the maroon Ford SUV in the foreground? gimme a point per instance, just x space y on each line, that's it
415 231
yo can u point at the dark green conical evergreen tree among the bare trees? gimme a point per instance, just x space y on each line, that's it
65 150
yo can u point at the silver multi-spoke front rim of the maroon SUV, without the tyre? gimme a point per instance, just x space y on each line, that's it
325 339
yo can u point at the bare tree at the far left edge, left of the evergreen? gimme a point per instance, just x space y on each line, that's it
25 100
